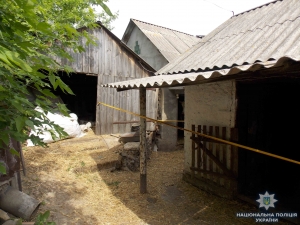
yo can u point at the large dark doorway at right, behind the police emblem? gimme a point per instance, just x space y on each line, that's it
268 118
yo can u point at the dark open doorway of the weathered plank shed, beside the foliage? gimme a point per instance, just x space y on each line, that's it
83 103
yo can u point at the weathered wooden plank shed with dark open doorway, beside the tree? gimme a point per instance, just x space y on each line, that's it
108 61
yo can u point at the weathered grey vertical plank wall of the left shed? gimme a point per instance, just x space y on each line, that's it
113 63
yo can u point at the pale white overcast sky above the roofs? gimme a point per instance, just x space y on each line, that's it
196 17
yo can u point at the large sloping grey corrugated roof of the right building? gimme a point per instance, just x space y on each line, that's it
265 33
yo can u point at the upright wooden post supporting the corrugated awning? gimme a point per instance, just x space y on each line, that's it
143 150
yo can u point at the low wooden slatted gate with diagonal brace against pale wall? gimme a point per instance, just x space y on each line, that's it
212 161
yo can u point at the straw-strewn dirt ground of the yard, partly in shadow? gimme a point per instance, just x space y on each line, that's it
72 179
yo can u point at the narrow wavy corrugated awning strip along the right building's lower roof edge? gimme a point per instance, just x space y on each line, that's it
195 77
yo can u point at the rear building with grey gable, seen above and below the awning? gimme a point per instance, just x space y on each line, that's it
158 46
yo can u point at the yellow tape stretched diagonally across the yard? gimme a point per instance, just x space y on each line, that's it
204 135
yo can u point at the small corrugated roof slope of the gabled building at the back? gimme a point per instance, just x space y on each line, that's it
169 42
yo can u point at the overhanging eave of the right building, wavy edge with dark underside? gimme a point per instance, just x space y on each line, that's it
263 70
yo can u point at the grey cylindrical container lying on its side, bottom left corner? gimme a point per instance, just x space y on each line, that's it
18 203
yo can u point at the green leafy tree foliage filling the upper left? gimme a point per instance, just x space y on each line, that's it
32 34
